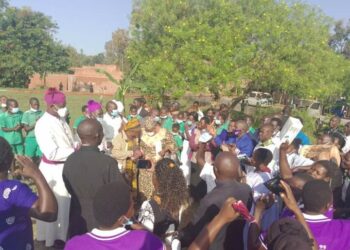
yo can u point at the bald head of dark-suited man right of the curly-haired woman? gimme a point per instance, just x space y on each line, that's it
226 166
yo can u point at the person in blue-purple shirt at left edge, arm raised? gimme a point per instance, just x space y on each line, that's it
18 203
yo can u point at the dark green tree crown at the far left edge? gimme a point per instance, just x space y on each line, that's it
27 46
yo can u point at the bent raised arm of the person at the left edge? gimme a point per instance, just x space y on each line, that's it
45 208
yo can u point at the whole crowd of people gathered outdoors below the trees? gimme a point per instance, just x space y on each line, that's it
169 178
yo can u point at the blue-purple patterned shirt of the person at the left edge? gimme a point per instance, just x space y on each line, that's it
16 199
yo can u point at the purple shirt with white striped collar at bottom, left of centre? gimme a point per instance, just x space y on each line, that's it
116 239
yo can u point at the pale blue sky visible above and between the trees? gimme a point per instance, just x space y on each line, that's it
88 24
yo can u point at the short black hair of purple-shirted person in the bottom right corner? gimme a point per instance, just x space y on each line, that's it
316 195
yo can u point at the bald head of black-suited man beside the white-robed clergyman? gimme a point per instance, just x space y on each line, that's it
90 132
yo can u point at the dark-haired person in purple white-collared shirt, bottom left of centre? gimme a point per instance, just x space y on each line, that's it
112 207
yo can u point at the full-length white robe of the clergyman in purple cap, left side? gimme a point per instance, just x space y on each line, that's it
56 142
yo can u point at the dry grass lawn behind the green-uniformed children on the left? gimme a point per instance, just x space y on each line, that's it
74 100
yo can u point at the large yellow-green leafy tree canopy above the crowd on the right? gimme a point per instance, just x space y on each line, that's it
215 45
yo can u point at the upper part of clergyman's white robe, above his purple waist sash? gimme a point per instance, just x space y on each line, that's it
54 137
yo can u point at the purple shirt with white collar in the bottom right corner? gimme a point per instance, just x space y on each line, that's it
329 234
